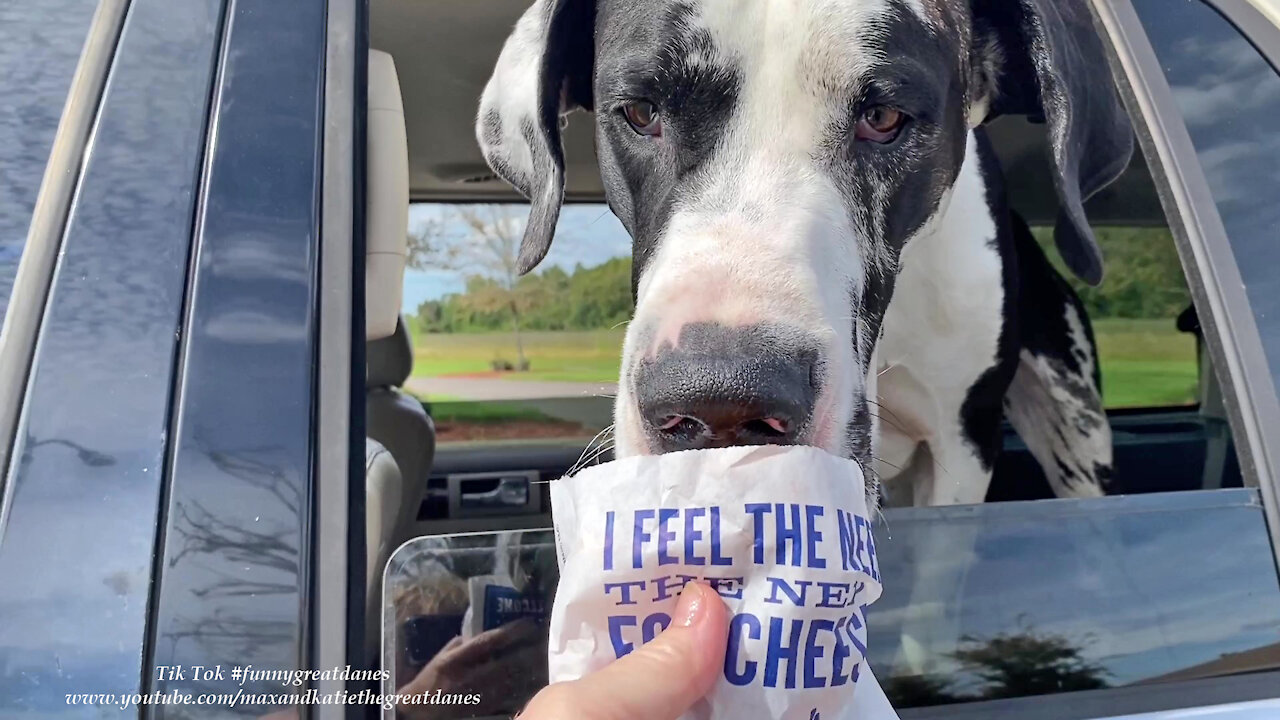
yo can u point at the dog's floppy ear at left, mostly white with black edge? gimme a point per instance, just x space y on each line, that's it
543 72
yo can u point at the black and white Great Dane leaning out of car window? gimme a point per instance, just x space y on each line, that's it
822 248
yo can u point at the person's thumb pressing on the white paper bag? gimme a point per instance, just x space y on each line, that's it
659 681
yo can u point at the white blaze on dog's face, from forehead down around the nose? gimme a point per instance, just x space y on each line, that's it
797 263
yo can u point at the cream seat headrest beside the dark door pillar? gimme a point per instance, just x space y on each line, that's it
387 192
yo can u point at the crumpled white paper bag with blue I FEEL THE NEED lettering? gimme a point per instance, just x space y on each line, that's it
783 535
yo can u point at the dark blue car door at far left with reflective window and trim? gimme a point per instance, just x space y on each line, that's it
95 321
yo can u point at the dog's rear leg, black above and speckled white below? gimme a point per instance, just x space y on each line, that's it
1055 402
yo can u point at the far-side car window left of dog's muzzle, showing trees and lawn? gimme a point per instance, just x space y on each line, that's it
499 357
